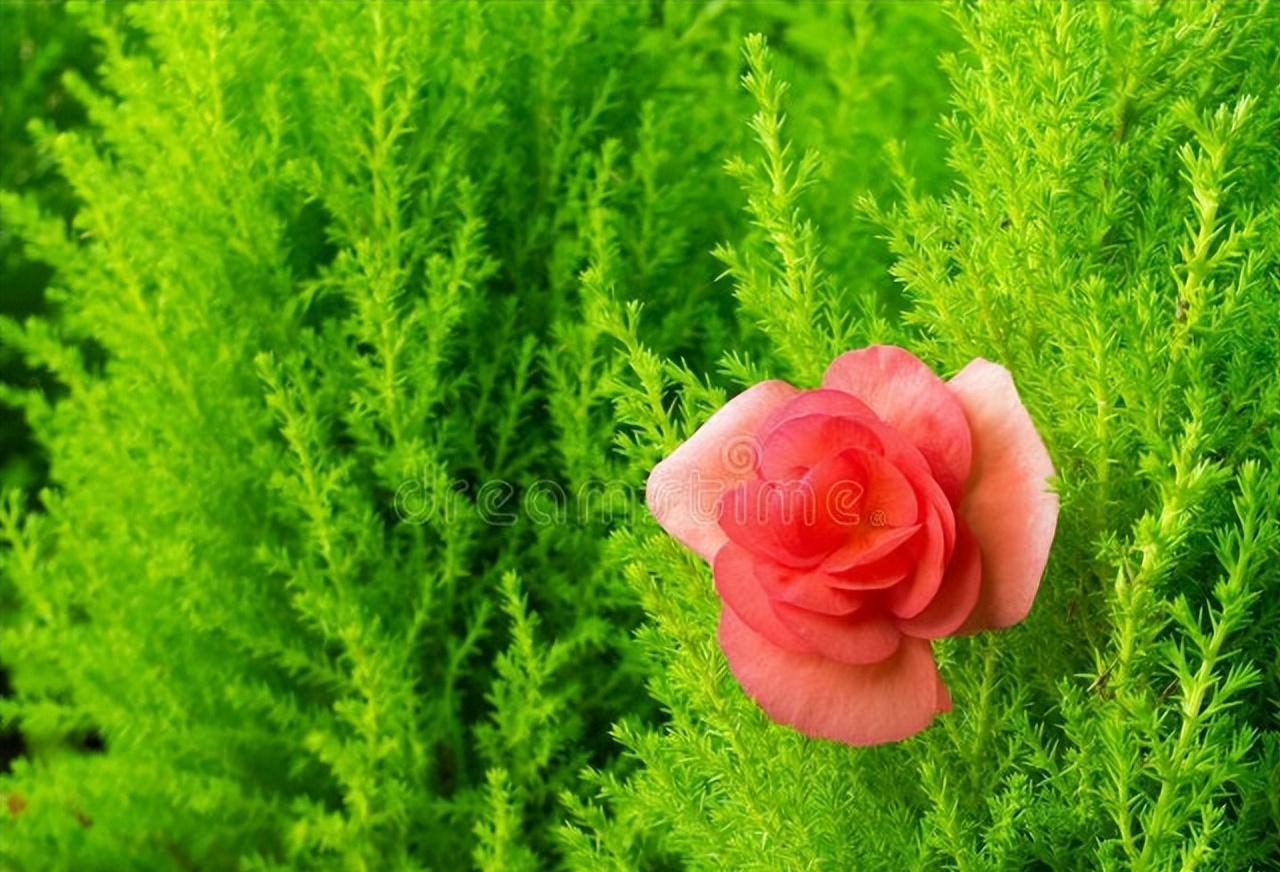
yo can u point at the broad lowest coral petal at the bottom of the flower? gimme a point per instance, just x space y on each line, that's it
826 700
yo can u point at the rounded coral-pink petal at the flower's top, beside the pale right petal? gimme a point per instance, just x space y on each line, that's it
908 395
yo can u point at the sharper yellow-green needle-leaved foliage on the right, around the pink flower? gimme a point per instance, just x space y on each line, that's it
1113 239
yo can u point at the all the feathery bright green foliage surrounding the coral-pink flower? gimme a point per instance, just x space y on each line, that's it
372 321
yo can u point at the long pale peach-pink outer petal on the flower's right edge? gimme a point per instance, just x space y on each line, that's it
1008 505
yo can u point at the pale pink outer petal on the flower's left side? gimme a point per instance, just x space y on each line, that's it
684 490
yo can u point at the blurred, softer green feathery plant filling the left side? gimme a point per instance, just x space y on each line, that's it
335 272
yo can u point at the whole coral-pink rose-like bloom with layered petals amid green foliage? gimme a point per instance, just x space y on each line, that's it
849 526
